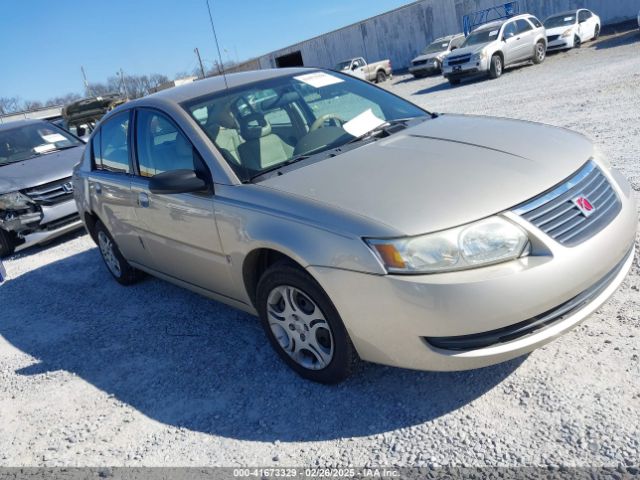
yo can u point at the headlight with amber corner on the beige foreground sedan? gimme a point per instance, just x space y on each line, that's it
488 241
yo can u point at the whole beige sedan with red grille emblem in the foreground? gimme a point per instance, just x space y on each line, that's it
356 224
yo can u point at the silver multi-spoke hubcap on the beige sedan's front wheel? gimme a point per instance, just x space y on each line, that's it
300 327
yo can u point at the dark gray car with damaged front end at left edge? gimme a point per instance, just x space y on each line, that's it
36 193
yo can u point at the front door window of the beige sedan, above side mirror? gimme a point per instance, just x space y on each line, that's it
160 146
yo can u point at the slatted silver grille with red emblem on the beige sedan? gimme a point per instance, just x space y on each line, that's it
557 214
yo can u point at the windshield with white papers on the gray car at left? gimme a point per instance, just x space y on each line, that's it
29 141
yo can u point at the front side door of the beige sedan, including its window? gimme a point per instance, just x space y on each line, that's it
179 230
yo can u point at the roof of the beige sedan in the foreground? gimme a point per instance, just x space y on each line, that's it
215 84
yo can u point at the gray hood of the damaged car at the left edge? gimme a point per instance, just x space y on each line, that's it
36 171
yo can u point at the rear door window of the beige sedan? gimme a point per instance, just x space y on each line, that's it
113 152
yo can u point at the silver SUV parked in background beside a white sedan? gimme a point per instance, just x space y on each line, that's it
490 48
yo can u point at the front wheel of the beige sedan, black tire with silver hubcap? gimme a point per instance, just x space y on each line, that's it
303 326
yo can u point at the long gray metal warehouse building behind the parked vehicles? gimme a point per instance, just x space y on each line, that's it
401 33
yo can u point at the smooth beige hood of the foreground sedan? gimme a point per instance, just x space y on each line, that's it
443 172
